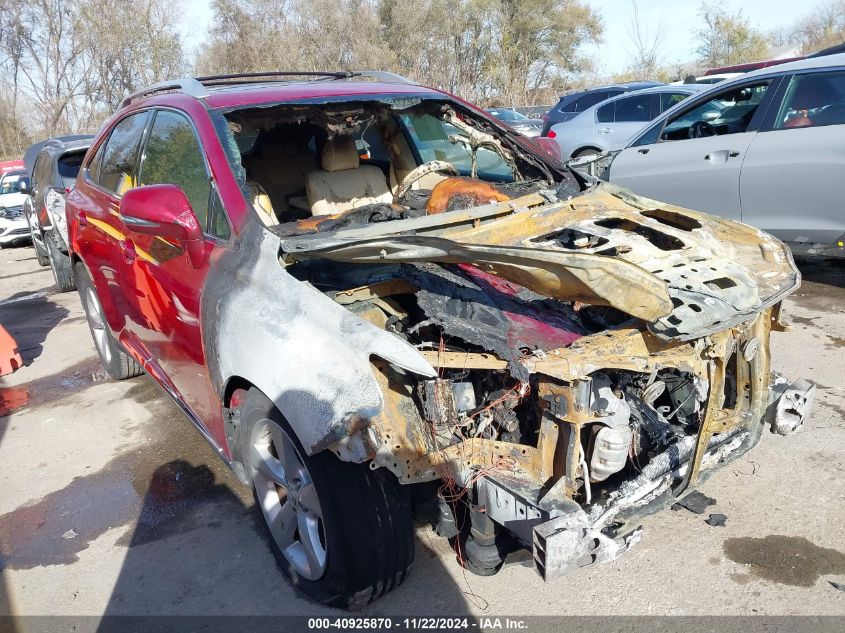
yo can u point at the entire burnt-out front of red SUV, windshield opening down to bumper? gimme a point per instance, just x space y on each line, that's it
547 357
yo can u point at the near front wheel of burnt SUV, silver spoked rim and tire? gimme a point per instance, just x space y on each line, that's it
342 532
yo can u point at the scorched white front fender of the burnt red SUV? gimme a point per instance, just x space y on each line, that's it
305 352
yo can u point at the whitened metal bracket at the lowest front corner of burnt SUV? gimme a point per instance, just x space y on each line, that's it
564 544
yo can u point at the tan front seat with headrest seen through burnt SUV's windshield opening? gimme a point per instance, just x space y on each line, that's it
343 183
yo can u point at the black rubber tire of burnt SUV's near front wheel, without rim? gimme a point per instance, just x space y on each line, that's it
366 518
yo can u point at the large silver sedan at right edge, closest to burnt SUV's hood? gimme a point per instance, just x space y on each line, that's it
774 156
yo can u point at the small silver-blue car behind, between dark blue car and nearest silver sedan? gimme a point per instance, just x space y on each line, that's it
609 125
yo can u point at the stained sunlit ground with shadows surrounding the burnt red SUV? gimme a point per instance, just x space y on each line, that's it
112 503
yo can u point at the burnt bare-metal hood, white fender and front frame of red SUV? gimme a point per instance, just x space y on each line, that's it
697 291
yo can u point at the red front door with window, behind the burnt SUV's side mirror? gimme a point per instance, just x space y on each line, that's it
164 285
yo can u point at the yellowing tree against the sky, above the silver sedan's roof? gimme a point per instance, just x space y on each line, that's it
727 38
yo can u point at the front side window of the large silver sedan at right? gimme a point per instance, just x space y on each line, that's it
728 112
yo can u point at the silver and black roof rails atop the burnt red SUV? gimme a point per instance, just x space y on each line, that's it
196 86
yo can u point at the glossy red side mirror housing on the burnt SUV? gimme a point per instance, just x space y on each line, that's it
164 211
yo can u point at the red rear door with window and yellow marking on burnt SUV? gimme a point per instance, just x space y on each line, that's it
98 230
